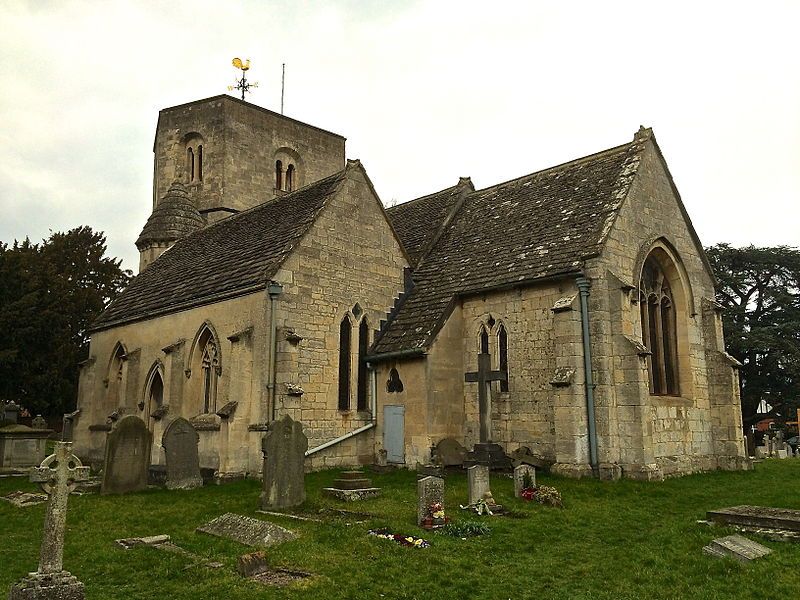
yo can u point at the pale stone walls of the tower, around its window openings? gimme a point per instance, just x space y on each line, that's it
241 142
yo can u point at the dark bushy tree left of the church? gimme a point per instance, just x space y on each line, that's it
49 295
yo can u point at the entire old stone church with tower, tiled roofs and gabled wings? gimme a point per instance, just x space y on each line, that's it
570 311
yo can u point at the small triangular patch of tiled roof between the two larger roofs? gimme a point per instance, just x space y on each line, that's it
417 222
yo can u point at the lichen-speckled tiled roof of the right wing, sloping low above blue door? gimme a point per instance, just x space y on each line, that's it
538 226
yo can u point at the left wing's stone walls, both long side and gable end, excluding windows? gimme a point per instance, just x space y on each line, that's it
348 256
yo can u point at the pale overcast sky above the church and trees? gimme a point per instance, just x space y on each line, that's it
425 92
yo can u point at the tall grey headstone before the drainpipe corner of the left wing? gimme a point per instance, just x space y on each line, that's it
284 447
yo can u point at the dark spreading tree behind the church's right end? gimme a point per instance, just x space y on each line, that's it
760 289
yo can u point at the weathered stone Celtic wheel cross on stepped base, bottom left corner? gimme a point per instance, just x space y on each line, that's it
58 475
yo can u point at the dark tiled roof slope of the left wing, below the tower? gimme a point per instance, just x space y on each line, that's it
231 257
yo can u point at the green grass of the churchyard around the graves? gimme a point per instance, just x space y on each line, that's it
612 540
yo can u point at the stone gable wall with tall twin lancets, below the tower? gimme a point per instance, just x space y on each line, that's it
349 256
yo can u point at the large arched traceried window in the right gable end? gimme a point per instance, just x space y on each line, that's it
657 311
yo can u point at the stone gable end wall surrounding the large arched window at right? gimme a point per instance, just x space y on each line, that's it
651 436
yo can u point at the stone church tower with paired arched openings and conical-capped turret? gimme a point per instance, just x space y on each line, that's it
216 157
